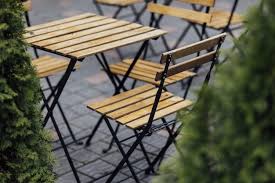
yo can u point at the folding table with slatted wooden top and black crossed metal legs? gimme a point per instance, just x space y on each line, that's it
81 36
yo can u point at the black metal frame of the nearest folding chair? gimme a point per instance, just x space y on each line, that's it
149 129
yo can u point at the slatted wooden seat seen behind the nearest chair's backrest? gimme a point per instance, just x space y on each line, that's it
146 71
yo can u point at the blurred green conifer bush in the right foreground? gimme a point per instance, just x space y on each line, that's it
230 134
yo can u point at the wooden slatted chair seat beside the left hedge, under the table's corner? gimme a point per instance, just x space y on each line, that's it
47 66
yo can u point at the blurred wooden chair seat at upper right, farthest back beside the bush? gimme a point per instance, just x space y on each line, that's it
220 19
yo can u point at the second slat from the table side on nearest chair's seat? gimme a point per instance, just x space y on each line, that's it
127 102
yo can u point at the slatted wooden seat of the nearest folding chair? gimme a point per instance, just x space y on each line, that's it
133 108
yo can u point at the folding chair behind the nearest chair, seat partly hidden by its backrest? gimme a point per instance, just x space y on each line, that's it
145 70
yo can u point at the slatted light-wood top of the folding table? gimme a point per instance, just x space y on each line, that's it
87 34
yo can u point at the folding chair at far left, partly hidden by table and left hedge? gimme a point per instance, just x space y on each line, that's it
47 66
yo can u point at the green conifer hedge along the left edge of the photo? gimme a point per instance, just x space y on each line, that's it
24 146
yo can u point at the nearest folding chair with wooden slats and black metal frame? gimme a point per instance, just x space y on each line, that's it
138 109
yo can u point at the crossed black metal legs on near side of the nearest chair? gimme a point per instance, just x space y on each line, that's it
125 155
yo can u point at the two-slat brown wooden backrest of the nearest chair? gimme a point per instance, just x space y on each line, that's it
207 44
